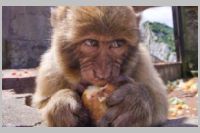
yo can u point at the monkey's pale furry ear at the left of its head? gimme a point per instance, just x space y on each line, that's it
58 14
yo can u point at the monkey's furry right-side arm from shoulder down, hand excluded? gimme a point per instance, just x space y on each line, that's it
146 74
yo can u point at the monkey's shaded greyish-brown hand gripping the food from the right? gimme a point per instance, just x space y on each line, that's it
129 105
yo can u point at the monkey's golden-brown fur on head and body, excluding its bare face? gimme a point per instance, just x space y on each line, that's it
59 73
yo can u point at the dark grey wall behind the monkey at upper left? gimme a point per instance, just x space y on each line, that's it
26 35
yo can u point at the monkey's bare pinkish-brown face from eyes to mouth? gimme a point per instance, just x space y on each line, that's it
101 59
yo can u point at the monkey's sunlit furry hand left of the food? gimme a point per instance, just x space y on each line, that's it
65 109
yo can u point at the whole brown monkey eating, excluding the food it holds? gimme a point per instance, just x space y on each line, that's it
98 46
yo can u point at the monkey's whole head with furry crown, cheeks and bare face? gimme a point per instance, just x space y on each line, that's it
96 41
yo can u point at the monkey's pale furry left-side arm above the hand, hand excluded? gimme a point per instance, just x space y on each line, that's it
48 81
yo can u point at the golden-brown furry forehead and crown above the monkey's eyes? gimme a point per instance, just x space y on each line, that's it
103 20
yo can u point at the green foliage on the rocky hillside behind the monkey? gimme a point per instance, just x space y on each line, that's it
163 32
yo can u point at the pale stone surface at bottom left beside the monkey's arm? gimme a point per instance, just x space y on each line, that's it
15 113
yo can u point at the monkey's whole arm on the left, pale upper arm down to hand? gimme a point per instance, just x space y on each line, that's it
59 105
